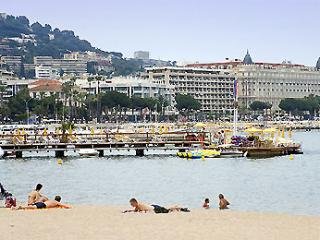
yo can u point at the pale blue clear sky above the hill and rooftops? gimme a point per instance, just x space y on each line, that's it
187 30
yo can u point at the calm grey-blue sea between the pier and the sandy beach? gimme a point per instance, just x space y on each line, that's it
269 185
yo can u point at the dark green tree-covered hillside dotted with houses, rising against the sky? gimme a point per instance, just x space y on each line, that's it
40 39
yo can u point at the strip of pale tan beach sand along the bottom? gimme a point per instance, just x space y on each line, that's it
83 222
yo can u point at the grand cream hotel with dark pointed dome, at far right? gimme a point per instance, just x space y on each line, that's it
269 82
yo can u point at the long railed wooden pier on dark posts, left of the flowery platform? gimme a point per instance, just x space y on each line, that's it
19 144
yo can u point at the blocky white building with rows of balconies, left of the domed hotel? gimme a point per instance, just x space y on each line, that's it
213 88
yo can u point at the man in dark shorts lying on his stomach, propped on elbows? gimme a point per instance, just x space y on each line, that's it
141 207
